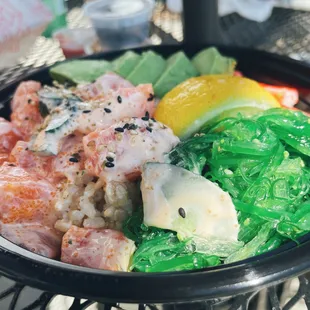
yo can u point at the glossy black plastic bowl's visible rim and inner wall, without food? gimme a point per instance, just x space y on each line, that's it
226 280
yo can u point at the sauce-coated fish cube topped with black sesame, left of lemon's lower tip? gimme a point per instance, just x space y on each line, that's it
119 152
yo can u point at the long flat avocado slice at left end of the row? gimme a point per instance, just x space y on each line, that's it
79 71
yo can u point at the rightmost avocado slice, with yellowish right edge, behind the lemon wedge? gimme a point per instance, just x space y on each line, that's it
210 61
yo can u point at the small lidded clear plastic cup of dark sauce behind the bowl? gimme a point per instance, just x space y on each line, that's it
120 23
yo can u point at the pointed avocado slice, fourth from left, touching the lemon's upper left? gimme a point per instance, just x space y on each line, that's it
179 68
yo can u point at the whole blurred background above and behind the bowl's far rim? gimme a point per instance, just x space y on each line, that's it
36 33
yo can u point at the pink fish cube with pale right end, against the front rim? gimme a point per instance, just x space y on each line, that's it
97 248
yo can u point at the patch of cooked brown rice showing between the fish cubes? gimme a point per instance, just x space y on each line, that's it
96 205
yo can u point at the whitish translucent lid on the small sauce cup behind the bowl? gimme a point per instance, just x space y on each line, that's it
118 13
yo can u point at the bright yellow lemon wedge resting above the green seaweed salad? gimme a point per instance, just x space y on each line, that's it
205 99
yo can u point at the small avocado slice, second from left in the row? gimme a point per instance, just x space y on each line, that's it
126 63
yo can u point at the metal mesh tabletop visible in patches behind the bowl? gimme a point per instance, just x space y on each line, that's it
286 32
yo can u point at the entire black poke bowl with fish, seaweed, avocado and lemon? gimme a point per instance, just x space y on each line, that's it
157 174
